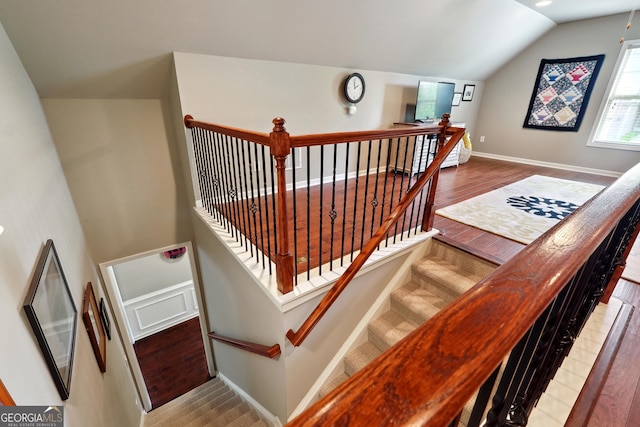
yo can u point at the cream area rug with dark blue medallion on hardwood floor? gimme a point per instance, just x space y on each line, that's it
524 210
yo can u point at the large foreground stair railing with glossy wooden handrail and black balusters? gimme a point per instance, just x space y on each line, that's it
428 377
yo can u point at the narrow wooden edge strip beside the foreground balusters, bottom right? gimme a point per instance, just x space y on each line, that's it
582 409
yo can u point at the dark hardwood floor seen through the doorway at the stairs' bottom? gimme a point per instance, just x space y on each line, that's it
172 361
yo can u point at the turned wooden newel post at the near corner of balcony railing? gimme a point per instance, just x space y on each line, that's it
280 148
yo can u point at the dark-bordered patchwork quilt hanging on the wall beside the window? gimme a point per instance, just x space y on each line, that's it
561 93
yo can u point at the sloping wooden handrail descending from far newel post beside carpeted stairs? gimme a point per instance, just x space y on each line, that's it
343 281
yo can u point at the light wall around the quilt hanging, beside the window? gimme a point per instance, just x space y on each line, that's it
508 92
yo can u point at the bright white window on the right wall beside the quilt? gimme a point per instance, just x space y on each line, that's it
619 115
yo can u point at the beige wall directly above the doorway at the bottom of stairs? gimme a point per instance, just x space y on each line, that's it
125 180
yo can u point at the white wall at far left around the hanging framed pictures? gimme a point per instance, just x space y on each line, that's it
36 206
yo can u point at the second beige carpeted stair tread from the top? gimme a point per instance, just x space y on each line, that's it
416 303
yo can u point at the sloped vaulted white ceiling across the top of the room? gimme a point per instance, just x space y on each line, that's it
122 49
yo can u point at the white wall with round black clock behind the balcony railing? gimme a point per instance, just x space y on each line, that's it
250 93
